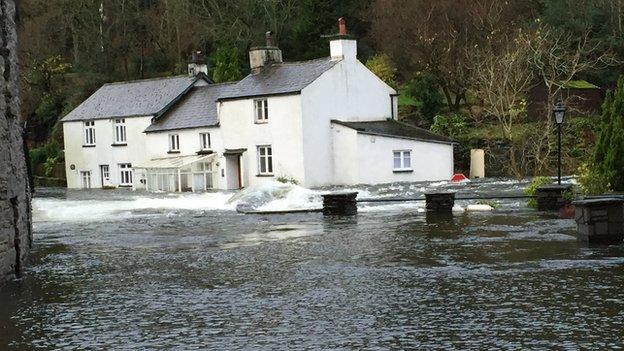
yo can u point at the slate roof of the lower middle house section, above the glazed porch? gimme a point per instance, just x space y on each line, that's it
198 108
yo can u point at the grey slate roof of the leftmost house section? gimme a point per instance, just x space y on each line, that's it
135 98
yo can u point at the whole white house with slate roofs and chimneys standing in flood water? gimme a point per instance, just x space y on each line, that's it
328 121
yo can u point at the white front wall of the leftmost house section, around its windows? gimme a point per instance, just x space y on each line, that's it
90 158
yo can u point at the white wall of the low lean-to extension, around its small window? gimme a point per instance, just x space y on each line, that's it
430 161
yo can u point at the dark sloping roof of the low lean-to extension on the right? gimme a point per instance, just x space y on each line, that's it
394 128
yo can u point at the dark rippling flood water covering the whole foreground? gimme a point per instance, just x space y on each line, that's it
116 270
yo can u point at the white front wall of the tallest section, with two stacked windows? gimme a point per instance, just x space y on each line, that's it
283 132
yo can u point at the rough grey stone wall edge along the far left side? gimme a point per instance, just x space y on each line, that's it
15 217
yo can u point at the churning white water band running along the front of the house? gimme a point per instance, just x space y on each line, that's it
96 205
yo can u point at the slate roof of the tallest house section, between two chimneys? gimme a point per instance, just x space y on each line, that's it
280 78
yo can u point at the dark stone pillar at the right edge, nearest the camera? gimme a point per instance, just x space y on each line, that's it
600 220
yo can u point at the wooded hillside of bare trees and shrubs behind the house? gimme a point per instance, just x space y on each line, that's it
464 68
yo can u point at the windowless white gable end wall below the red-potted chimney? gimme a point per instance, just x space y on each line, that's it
346 92
